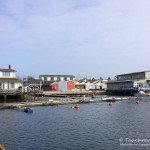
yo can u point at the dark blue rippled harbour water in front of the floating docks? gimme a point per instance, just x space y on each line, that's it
94 126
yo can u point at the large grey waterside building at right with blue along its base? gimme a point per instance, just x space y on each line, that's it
130 83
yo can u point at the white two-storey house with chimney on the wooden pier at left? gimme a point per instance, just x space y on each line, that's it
8 79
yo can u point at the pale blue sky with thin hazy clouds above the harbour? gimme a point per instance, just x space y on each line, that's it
85 38
